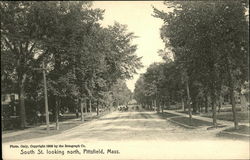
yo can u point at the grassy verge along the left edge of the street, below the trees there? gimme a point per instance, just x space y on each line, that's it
37 132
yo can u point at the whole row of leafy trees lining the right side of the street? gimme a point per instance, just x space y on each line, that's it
208 42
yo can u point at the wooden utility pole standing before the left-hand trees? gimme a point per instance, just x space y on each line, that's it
45 97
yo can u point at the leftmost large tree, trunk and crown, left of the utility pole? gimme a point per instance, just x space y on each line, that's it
20 35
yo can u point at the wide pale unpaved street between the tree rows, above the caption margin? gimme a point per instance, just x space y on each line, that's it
129 126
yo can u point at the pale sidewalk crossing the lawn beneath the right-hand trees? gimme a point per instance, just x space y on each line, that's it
227 124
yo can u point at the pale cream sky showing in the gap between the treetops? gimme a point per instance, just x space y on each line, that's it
137 15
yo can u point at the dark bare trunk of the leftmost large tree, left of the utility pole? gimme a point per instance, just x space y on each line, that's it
22 101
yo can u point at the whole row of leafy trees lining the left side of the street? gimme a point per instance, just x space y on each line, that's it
84 61
